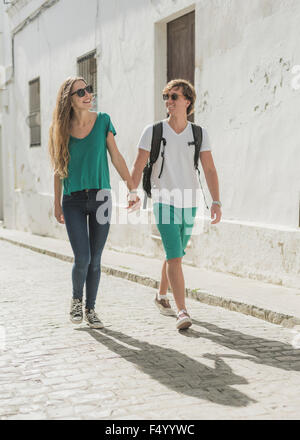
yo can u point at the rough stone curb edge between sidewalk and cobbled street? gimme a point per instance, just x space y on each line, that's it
288 321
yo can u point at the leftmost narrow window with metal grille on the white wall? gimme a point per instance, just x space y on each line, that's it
34 118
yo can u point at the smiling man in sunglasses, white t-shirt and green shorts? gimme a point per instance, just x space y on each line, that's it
174 211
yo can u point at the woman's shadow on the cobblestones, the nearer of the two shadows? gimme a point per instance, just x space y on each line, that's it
176 370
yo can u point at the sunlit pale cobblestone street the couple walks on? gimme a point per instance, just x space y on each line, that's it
226 366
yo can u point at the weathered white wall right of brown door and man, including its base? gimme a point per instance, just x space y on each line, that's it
244 56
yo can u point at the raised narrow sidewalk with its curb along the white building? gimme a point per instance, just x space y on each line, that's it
276 304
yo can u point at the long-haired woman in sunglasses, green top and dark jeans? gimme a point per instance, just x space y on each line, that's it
78 144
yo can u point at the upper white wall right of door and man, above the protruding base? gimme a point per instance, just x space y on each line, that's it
243 66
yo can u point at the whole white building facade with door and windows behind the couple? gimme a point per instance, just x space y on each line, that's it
240 56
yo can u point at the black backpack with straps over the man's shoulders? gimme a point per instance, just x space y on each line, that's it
157 138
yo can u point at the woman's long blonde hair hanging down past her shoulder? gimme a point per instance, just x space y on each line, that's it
59 133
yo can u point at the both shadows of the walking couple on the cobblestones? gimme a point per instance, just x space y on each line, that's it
190 377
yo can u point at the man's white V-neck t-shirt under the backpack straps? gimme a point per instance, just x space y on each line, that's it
178 184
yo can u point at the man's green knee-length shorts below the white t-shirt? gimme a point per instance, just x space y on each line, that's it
175 226
